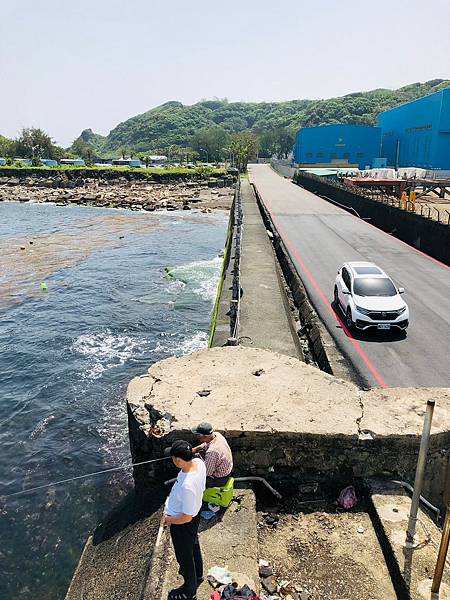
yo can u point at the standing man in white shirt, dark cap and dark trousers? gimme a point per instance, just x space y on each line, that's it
183 515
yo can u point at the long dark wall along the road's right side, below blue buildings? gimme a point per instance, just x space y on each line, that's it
431 237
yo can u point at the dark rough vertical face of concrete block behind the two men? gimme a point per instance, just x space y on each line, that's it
295 457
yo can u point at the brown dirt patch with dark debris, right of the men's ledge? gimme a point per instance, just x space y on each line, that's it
318 551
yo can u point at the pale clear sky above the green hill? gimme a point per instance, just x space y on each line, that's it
70 65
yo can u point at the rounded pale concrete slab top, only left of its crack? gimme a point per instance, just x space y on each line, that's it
288 395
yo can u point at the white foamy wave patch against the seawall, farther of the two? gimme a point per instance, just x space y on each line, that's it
200 277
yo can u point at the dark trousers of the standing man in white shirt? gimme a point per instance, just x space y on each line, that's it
187 552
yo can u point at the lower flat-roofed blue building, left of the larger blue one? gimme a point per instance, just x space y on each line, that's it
337 145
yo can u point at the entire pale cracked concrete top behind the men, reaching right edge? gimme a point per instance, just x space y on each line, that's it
288 396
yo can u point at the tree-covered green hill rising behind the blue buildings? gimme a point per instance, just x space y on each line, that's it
173 123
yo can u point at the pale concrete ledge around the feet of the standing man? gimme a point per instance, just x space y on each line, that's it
230 541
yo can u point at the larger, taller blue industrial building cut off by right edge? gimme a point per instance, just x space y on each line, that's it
417 134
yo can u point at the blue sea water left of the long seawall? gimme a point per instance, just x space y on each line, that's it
123 290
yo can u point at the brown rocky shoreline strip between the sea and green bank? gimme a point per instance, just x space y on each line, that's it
205 195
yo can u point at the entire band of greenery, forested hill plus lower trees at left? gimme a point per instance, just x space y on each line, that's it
211 130
